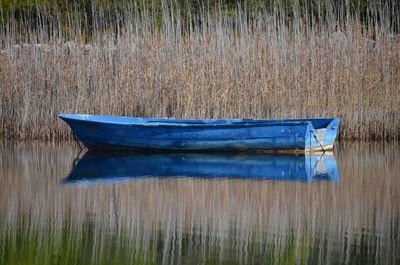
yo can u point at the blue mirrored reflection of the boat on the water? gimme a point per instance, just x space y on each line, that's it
115 167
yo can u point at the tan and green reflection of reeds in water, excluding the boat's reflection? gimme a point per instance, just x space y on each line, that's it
176 220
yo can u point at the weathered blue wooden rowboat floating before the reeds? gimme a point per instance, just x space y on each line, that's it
109 132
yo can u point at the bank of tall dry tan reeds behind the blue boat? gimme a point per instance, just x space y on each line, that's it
224 64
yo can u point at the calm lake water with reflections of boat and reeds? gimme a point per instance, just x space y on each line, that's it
199 209
